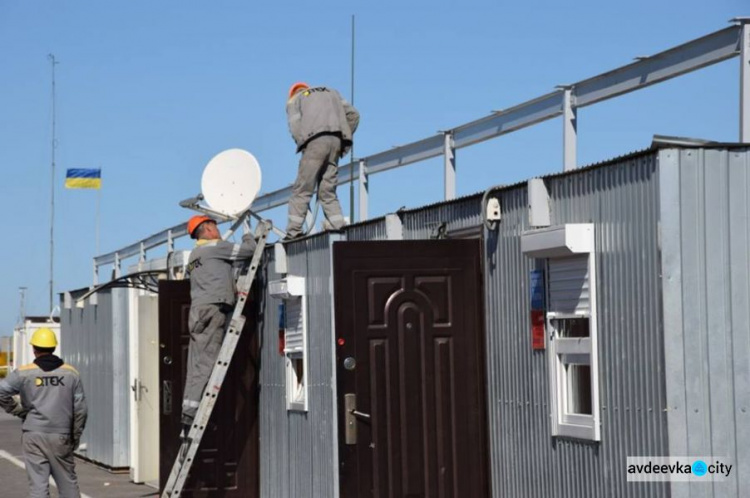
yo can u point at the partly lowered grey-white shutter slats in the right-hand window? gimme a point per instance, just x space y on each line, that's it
569 284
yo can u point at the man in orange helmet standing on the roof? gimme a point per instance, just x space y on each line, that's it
322 124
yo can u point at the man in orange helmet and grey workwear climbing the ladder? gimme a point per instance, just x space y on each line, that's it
212 299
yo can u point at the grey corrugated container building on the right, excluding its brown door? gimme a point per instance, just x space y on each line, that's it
666 297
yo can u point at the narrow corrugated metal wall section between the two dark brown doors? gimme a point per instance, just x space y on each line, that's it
299 450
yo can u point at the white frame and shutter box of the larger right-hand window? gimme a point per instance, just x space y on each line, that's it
550 243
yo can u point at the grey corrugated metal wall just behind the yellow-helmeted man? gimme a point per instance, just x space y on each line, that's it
96 343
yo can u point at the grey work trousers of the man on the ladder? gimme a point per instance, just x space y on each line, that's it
207 324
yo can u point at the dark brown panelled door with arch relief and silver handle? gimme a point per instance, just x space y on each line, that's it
409 315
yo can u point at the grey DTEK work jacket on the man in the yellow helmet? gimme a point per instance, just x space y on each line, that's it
52 401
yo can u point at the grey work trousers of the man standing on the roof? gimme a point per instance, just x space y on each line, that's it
318 166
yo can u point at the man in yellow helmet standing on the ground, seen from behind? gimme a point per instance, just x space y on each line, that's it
53 409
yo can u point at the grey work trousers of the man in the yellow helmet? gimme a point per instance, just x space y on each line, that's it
47 454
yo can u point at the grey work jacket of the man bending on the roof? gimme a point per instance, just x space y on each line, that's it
320 110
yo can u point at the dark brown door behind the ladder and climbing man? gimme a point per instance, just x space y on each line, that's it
227 461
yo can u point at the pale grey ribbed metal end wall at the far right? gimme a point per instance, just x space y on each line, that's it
706 259
